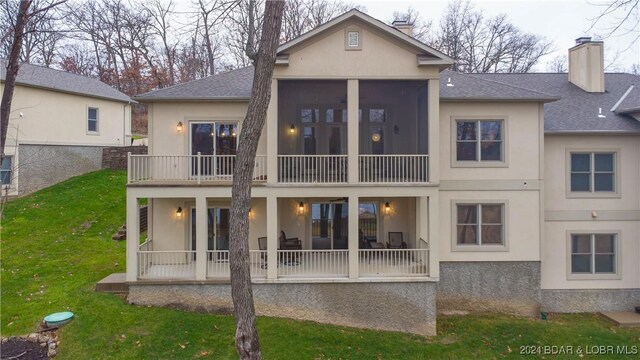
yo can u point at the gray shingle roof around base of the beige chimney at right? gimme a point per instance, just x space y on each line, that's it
578 110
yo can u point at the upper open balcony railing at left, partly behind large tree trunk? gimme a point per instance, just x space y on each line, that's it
189 168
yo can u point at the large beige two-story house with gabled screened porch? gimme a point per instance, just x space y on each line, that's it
408 188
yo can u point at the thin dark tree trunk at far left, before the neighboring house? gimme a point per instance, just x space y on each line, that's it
12 72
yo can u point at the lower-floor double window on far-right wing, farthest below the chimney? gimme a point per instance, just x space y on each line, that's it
593 255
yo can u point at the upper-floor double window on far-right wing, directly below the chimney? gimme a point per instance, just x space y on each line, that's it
593 172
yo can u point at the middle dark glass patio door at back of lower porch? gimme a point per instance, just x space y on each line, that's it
329 225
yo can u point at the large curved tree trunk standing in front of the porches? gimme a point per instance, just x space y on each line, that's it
247 342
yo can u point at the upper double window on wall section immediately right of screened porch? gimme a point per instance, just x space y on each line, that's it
479 141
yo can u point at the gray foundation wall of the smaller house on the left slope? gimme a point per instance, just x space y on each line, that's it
44 165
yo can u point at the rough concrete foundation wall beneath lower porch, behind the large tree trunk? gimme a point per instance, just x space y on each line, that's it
406 307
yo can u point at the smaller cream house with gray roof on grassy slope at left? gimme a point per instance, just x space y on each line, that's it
58 126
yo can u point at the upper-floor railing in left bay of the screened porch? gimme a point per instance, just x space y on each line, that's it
310 169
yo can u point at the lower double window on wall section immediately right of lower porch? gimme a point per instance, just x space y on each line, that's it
479 225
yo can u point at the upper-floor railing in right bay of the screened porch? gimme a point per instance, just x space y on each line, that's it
394 168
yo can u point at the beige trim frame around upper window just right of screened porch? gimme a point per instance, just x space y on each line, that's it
455 163
